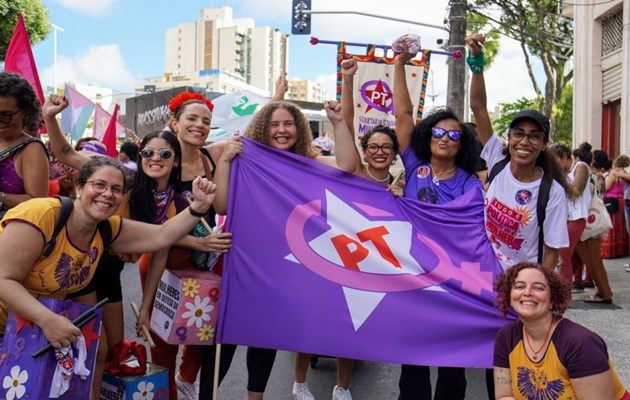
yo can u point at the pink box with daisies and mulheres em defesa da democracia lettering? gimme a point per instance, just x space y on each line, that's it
186 307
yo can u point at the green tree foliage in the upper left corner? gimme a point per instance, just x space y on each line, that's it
35 18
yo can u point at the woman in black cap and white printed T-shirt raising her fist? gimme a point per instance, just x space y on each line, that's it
512 196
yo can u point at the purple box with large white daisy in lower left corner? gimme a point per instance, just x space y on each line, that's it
34 376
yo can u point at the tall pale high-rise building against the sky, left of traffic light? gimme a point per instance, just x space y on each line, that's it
218 41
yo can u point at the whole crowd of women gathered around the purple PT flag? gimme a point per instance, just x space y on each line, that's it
158 190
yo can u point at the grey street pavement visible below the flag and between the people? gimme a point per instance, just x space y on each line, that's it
379 381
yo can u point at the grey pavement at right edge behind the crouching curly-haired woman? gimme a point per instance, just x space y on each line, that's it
610 321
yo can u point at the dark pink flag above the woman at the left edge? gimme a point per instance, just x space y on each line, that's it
19 59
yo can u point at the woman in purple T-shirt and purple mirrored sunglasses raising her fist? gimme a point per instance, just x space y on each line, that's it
440 158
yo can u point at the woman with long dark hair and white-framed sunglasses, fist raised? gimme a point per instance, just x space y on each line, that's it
152 200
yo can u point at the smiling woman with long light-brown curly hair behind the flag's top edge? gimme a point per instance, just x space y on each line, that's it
282 126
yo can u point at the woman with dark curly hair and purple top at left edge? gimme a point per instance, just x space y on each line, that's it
23 159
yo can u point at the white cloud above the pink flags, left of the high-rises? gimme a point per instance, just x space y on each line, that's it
99 65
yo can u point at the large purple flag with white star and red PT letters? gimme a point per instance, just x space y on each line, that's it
325 262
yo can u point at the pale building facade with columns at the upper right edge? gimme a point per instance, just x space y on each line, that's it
601 97
